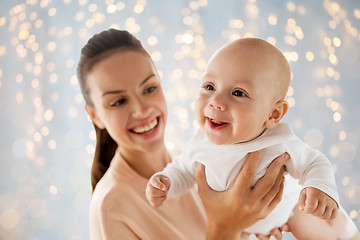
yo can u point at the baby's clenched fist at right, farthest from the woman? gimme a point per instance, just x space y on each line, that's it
317 203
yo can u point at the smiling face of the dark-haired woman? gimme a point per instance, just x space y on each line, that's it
128 100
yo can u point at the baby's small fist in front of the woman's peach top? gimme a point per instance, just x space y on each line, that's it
156 190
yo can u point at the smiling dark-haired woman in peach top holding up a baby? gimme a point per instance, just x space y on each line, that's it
126 104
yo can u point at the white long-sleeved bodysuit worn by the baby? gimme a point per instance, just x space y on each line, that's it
223 162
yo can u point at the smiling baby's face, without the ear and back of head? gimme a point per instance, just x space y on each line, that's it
236 96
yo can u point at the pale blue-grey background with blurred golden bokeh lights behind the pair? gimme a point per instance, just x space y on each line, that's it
47 141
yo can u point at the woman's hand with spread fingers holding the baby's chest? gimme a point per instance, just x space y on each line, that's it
230 212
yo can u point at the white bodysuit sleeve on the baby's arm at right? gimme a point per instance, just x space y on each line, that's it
311 167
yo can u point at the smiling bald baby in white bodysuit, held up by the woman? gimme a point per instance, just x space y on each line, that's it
239 108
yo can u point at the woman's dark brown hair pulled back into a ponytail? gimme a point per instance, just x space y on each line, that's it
97 48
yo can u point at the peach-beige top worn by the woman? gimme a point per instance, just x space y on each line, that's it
119 209
